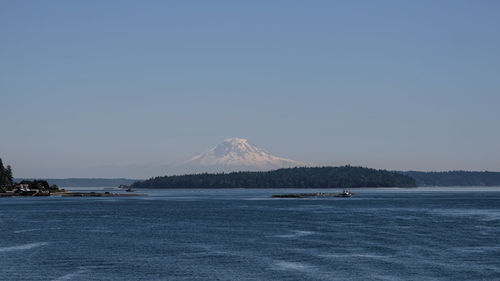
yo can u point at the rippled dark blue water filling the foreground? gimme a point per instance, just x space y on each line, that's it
383 234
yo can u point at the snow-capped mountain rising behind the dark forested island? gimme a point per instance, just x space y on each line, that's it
236 154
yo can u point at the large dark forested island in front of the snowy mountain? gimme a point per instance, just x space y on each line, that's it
323 177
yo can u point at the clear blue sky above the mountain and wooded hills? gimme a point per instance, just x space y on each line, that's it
96 88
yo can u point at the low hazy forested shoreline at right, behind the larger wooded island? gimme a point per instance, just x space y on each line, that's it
455 178
